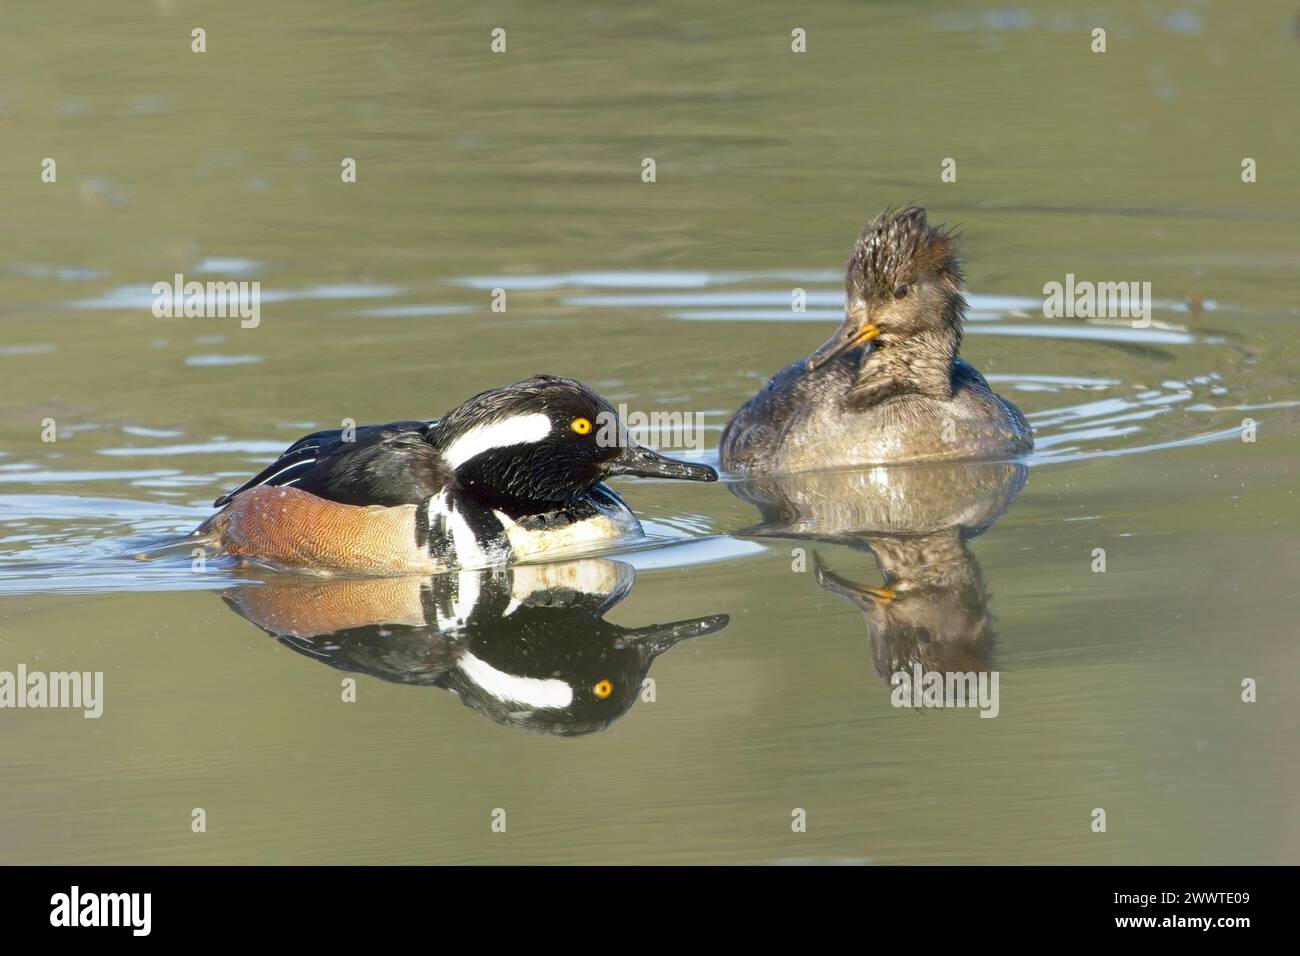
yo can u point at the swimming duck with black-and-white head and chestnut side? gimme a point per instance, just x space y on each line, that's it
512 474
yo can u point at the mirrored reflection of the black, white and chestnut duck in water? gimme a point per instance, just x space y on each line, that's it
527 646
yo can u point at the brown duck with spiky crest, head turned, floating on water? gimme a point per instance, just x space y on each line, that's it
889 387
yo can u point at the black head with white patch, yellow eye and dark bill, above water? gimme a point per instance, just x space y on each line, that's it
545 440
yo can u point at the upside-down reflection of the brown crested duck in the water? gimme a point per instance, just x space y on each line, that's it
931 615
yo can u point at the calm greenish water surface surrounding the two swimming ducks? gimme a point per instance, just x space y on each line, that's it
523 171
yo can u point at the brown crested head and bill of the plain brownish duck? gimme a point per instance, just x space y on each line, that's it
903 285
